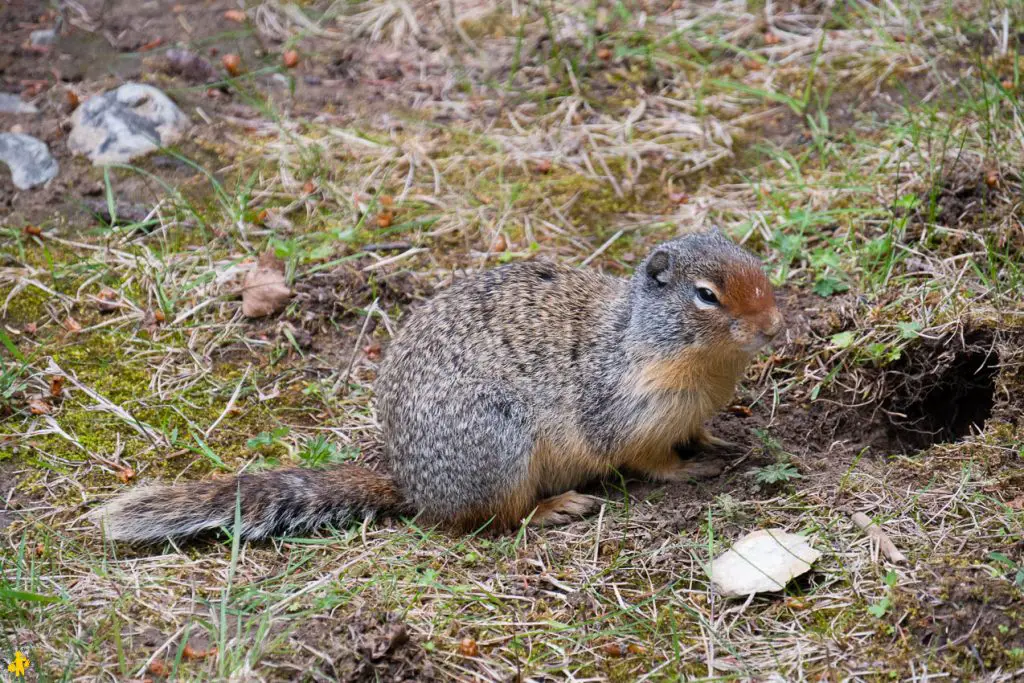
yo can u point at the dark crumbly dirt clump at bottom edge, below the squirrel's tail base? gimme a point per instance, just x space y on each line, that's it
360 648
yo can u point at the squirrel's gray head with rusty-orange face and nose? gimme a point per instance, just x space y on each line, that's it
703 290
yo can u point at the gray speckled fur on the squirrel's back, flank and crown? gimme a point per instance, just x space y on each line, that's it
526 350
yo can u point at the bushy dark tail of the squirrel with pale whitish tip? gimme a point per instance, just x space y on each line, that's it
286 501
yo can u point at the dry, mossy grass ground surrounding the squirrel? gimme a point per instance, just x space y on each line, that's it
869 153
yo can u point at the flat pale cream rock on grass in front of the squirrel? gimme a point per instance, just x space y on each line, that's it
762 562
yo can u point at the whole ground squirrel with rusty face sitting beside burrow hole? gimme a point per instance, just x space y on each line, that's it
509 390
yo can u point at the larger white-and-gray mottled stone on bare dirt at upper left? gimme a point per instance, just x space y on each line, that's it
123 124
